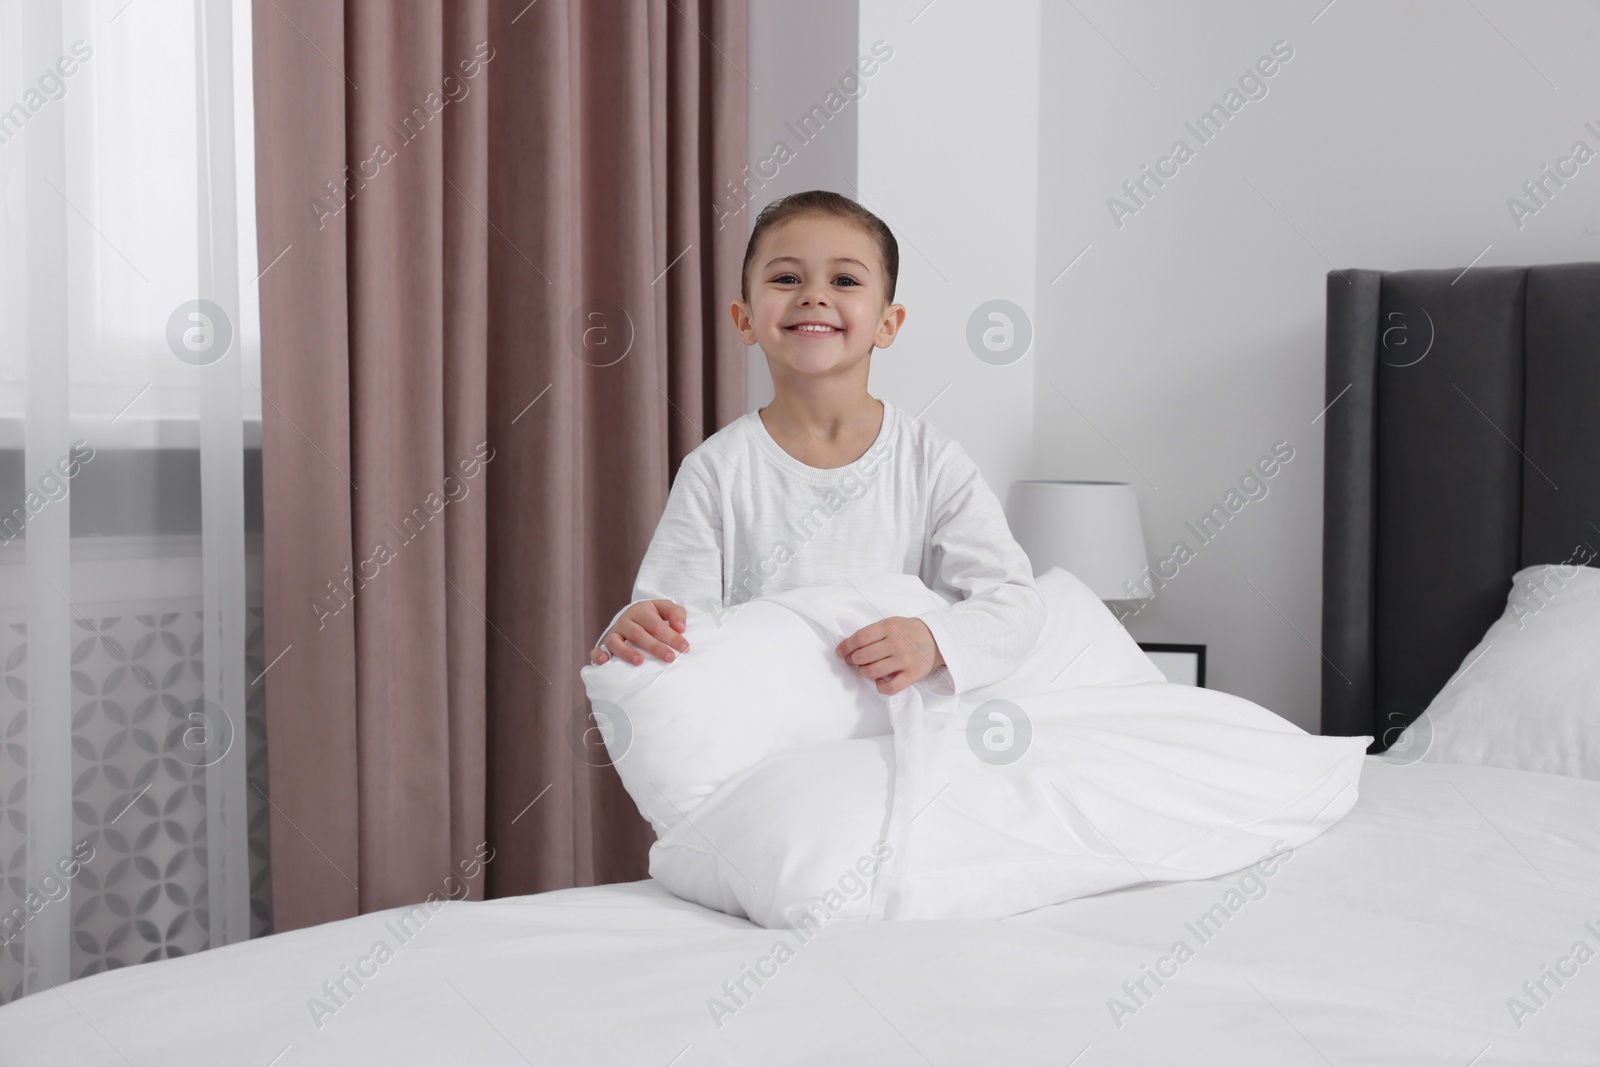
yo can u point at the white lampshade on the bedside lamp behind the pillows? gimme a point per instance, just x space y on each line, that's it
1089 529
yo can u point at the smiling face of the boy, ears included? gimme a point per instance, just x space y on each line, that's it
817 270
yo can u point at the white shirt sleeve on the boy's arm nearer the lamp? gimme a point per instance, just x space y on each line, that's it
972 553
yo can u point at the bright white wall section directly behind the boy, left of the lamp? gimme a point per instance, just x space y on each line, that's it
948 158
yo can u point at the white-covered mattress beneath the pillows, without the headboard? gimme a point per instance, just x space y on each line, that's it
1396 938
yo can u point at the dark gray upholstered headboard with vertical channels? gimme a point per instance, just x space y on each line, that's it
1463 442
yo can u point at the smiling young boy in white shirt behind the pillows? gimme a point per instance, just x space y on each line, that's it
828 482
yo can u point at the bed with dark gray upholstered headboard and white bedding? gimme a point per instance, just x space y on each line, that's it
1452 917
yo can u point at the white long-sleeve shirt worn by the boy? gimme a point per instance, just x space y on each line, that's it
746 519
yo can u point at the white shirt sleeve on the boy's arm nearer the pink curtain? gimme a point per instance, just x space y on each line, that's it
684 561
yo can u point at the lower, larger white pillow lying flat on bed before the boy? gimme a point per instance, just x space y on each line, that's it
1118 778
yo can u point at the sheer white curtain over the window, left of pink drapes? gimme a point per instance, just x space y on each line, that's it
132 746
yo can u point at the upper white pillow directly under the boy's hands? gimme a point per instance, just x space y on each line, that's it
759 679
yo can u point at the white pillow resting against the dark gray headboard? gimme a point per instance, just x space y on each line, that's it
1529 695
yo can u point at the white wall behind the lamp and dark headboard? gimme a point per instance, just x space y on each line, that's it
1193 335
